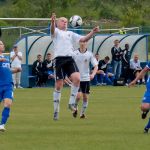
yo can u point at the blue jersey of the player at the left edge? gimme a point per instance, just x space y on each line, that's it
5 72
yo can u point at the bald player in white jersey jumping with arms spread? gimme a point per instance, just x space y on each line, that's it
63 63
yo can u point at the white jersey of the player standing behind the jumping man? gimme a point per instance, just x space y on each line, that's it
83 61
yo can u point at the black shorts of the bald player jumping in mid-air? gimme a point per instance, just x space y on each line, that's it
64 65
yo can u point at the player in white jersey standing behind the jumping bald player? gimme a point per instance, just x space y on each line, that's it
83 58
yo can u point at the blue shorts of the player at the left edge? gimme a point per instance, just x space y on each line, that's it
6 91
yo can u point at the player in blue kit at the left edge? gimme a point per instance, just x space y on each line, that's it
6 86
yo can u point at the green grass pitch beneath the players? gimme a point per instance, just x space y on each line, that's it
113 122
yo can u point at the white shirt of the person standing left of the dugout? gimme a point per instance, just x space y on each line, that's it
16 62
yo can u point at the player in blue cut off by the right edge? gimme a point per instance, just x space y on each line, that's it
145 106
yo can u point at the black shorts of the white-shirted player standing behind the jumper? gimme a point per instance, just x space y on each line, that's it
85 87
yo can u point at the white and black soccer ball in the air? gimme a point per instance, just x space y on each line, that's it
75 21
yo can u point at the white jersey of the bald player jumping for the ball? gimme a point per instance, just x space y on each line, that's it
63 42
